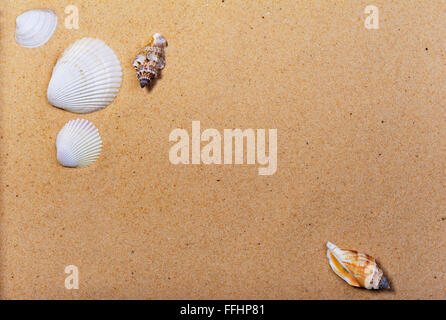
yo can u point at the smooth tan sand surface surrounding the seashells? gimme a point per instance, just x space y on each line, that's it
360 116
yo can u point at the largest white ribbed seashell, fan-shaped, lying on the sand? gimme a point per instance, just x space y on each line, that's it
86 78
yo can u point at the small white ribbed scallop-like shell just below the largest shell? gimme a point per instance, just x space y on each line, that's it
78 144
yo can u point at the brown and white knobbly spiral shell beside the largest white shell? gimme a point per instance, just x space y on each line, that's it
151 60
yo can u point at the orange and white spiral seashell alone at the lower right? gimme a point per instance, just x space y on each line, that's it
357 269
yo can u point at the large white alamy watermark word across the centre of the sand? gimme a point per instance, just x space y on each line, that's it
233 139
